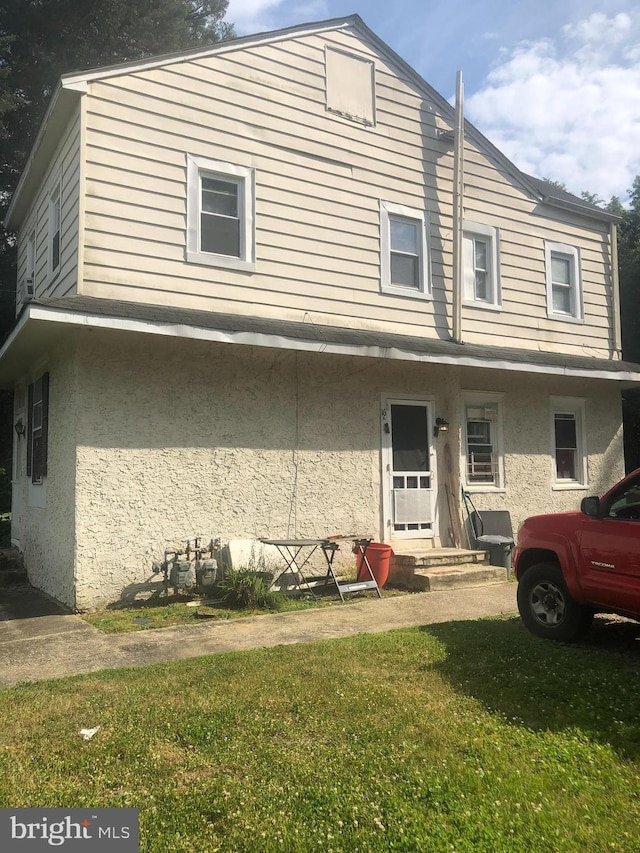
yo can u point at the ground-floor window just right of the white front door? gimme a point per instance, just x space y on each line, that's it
484 468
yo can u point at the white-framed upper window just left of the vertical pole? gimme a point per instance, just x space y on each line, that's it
405 259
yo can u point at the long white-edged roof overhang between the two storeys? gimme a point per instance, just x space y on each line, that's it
33 314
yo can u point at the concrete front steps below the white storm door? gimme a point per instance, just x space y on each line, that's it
444 568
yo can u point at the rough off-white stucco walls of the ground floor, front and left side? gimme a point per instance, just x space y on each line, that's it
161 439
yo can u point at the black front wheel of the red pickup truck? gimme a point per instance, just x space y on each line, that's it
546 607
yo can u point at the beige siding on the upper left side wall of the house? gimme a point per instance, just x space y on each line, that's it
66 167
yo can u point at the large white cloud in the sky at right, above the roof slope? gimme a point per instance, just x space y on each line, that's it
569 108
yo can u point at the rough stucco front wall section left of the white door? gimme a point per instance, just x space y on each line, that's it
181 438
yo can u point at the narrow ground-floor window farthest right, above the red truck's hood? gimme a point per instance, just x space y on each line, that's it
568 442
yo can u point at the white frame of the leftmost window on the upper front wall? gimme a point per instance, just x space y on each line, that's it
199 167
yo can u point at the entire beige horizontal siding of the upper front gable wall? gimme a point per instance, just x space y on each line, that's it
319 182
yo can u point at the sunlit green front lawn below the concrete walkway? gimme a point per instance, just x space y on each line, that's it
467 736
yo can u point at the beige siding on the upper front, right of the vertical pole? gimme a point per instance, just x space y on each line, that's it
492 198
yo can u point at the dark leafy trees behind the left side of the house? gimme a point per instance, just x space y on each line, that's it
39 41
